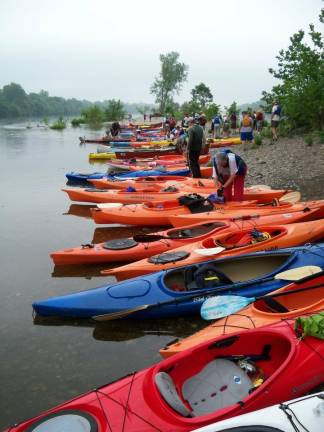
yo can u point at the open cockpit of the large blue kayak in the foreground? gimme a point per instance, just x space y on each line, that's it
225 272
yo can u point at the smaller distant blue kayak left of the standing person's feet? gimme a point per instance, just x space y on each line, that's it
81 177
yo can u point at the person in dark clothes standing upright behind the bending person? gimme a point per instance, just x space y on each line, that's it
195 142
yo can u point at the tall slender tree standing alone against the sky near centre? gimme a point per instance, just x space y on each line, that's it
171 77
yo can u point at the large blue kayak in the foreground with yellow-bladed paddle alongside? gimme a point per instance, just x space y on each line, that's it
182 291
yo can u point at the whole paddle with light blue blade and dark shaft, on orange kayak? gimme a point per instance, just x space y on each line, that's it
222 306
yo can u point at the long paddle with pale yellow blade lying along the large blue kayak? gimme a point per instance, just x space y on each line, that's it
291 275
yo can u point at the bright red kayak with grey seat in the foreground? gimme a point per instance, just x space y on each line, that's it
217 380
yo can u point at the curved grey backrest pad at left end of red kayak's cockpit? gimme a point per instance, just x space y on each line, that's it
168 391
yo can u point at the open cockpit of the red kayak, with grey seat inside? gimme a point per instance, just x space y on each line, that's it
225 373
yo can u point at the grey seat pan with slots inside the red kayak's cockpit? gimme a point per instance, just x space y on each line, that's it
219 384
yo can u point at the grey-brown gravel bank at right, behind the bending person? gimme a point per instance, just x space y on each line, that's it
289 163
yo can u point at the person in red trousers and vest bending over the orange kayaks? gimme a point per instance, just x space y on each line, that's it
229 170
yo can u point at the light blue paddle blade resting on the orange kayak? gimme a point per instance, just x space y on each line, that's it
222 306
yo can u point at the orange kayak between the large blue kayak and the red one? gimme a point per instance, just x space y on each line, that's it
259 314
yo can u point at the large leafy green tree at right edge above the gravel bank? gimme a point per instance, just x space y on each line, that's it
300 71
